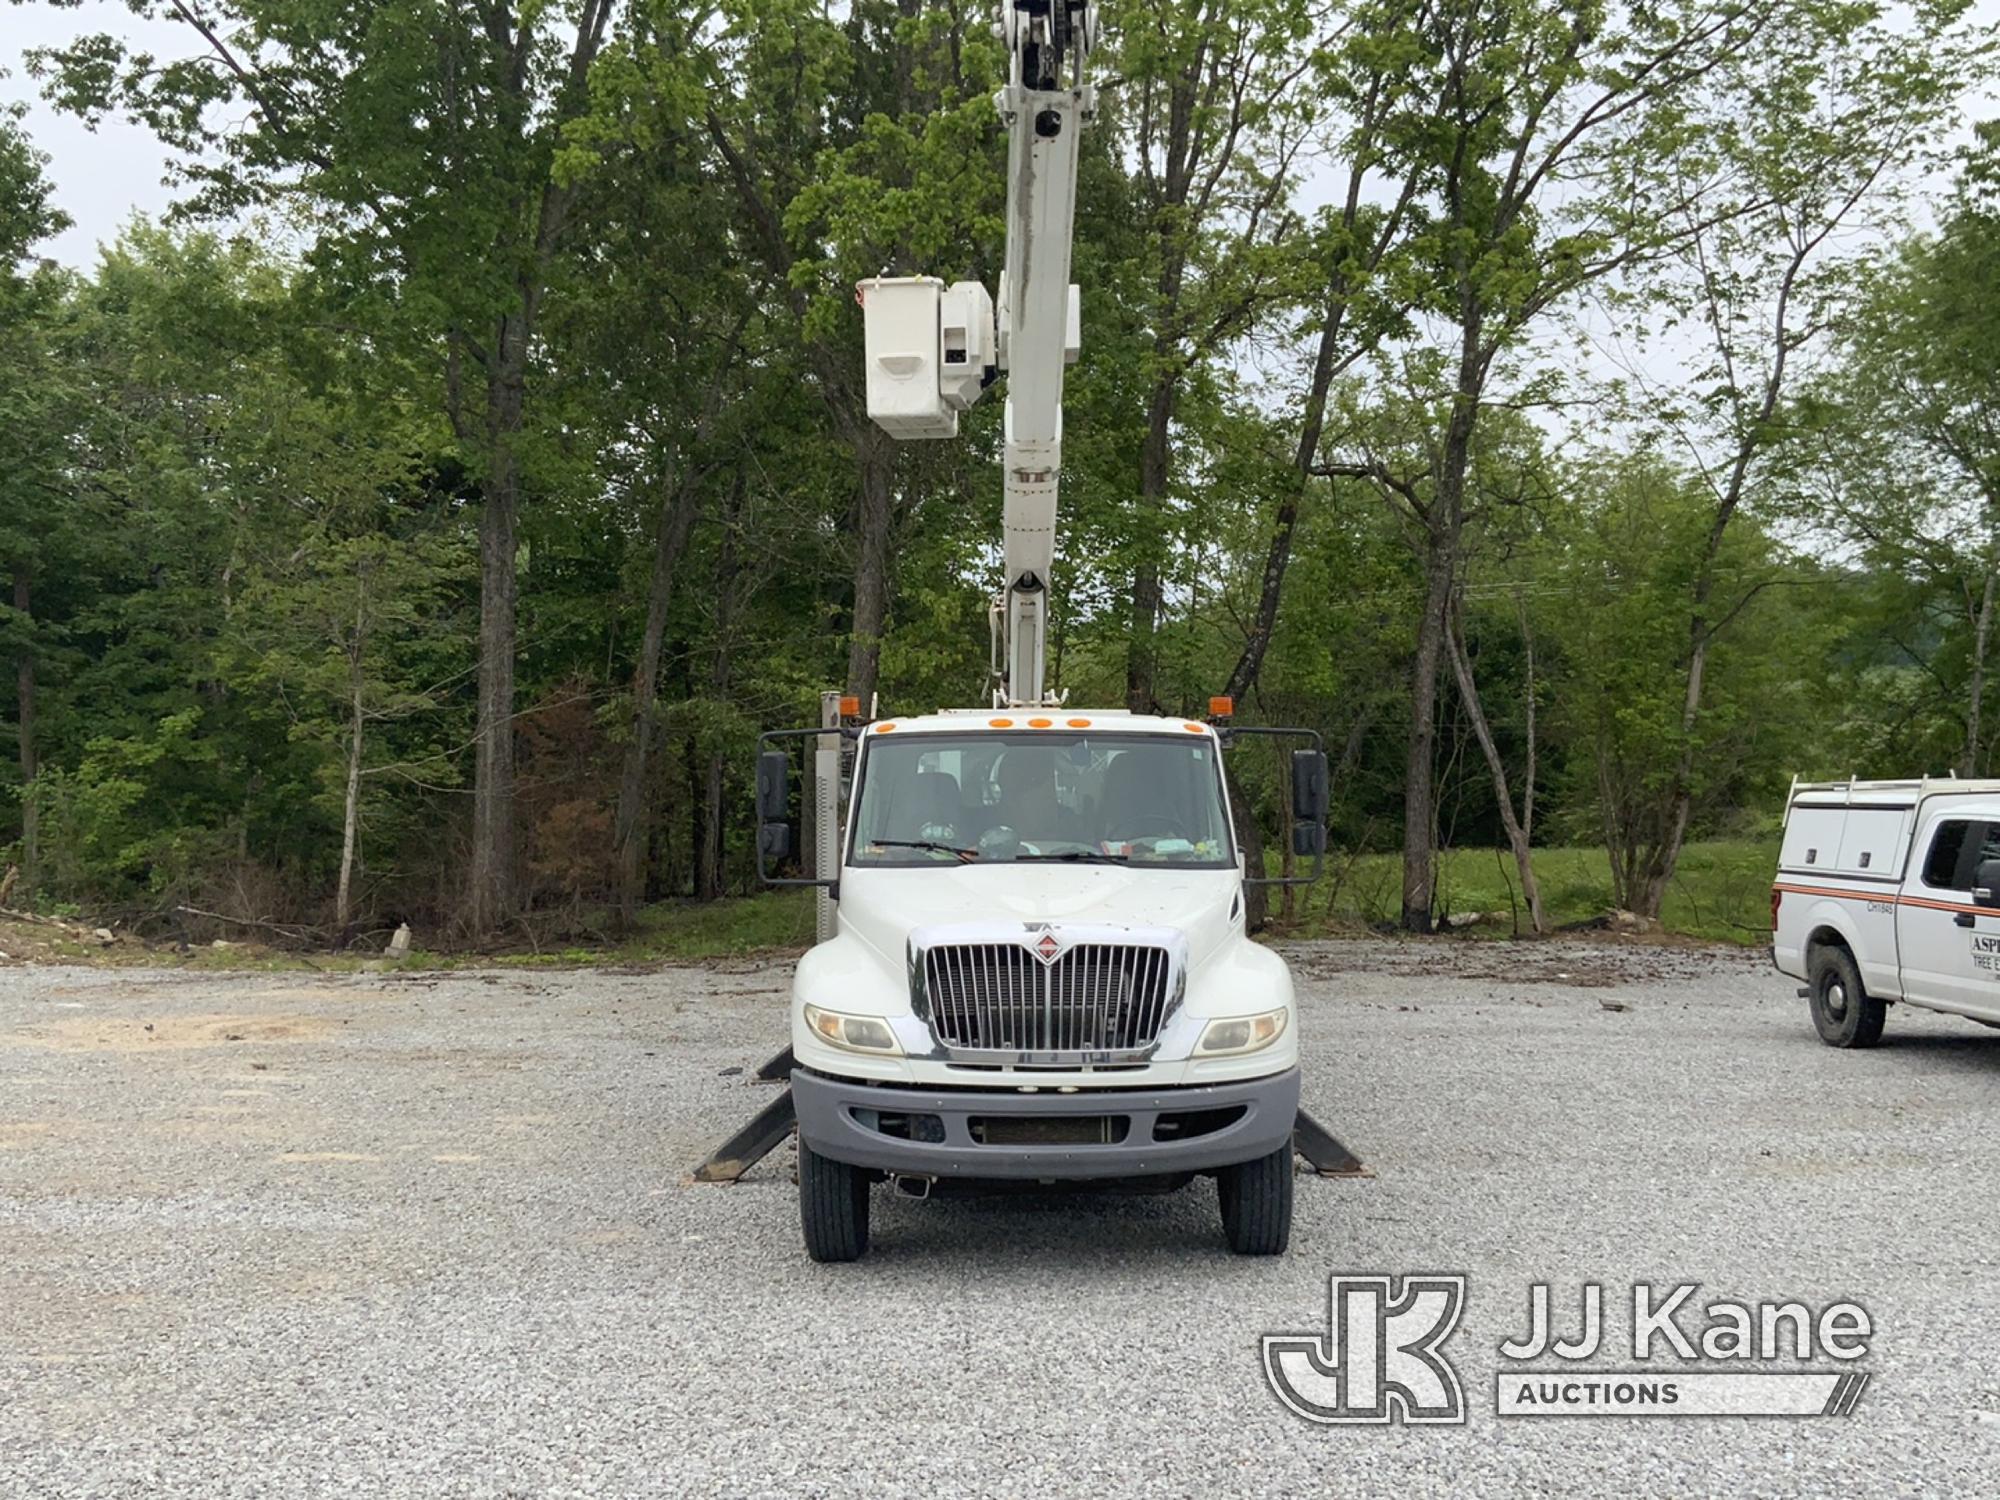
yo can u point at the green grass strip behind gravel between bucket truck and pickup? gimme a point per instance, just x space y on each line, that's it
1721 889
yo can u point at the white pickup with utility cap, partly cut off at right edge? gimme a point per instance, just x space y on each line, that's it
1891 891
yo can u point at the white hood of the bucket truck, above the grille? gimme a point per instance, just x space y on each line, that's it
883 907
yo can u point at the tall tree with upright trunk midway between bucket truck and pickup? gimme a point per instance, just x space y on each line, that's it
1567 151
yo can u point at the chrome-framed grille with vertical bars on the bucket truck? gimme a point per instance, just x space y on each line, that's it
999 997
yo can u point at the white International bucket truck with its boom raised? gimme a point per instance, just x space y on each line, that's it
1033 963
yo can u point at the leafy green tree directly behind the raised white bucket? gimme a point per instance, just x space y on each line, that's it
855 145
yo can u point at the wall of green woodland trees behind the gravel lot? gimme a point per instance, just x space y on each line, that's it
445 563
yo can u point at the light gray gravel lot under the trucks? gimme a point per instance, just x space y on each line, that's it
431 1235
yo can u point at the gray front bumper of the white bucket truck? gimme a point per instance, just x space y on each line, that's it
833 1119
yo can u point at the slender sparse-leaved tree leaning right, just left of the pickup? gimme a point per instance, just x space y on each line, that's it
1809 131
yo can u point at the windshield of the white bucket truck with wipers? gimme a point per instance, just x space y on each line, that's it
1107 799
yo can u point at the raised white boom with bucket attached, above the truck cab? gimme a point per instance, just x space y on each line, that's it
933 349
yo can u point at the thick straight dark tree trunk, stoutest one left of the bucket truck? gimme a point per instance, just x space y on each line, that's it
493 775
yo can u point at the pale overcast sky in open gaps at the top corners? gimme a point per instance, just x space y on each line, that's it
117 171
